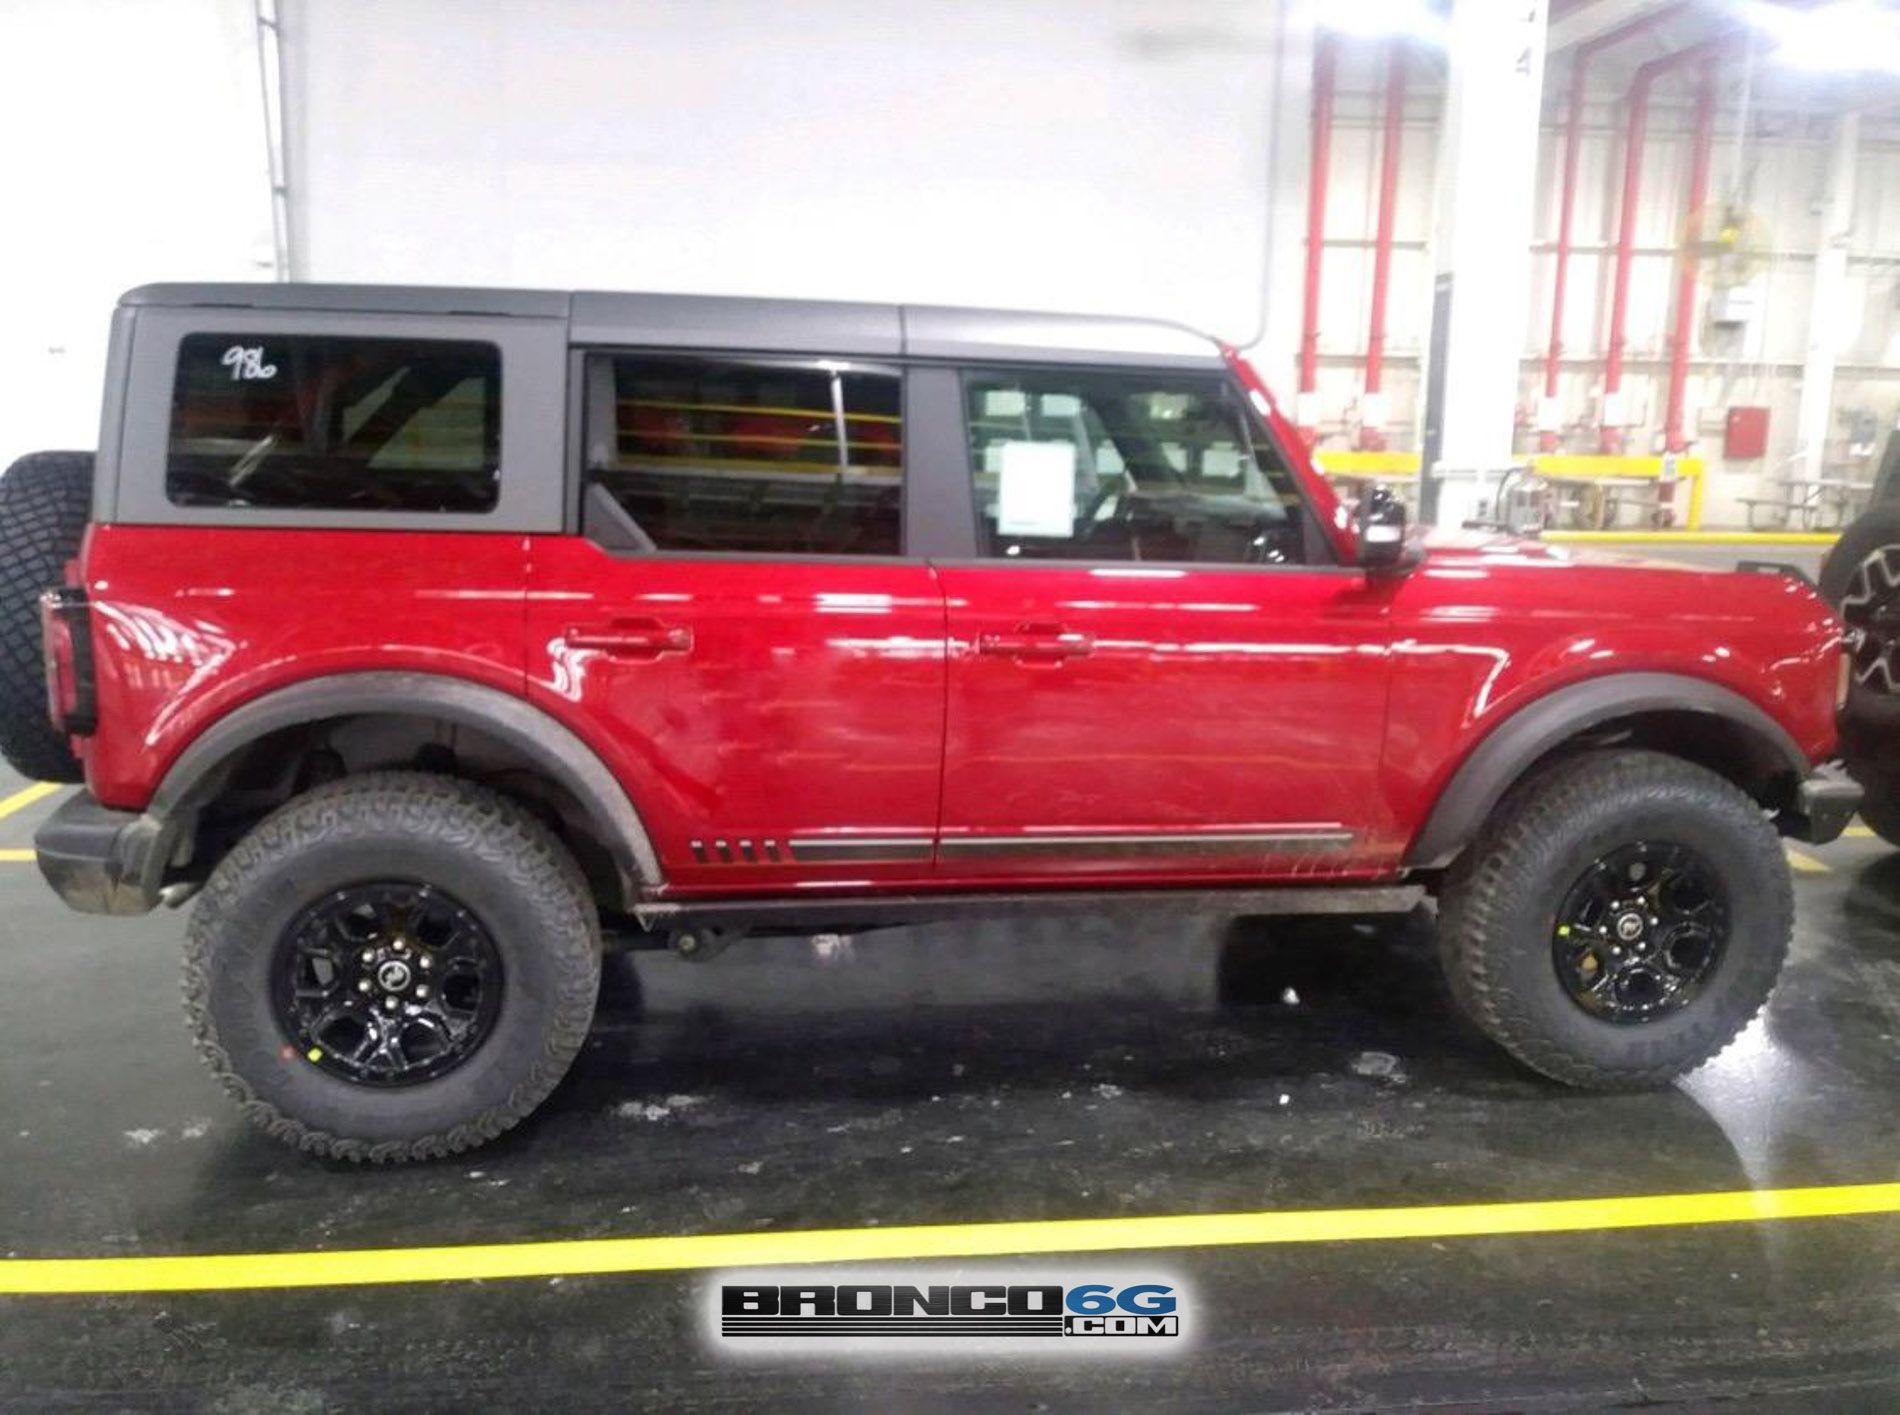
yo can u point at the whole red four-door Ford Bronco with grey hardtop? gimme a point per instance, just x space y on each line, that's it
440 639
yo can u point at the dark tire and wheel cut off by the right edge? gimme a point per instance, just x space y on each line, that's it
1863 584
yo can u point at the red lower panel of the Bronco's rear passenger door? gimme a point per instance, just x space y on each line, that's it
795 702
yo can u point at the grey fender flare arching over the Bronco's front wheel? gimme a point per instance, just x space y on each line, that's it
1534 730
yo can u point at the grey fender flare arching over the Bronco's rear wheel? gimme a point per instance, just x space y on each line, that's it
514 721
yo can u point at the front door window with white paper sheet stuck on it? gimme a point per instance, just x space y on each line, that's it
1105 466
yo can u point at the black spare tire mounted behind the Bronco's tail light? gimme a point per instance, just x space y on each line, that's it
45 504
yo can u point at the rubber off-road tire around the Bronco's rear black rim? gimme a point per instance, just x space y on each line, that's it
497 859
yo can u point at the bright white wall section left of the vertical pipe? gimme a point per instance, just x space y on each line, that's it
130 151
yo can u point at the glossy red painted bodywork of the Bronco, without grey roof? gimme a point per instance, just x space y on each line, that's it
959 725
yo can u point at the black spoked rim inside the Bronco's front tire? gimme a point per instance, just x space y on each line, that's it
1641 932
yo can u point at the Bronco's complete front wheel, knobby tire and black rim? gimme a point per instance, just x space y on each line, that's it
1620 920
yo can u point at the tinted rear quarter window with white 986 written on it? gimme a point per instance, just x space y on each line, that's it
335 424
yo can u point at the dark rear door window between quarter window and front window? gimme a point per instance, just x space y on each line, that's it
750 457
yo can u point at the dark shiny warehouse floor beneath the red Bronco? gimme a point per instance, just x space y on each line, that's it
970 1076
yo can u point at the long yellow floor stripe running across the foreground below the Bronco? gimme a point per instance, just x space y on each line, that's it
715 1251
